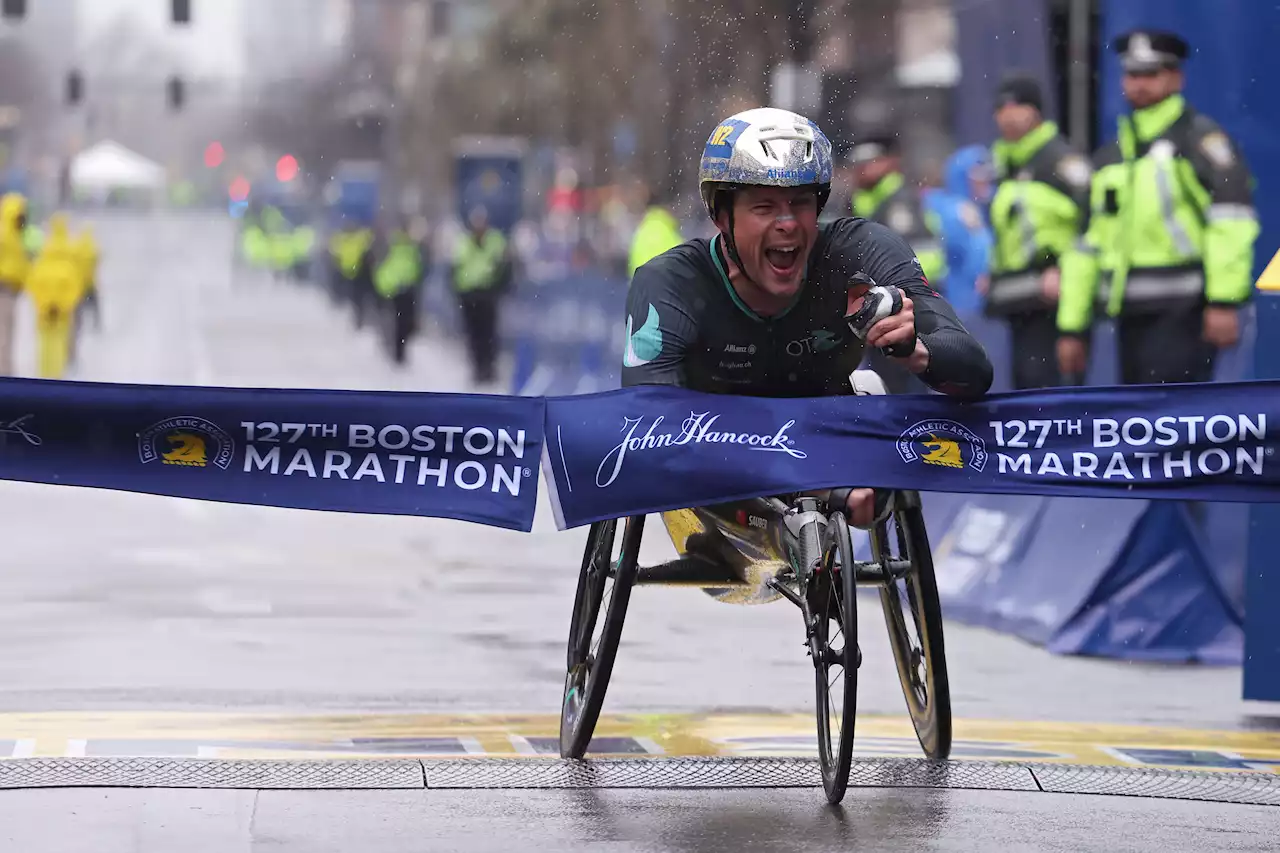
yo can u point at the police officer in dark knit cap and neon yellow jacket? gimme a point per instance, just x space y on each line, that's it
1037 212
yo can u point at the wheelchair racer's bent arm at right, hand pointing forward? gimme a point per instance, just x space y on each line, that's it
947 357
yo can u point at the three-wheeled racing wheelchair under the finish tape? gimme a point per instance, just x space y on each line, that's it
765 550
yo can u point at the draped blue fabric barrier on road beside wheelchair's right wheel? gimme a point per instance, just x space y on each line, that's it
1105 578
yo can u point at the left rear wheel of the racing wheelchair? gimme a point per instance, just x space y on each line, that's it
588 676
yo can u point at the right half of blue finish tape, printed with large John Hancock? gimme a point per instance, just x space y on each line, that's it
653 449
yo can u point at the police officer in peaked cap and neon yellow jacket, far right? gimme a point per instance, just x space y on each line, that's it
1169 243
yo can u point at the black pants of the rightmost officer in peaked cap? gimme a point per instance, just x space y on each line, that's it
1165 348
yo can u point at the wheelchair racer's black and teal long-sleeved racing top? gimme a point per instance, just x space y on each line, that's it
688 327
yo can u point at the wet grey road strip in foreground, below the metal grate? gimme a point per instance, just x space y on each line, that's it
792 822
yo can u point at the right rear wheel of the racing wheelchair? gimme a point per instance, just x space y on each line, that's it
929 695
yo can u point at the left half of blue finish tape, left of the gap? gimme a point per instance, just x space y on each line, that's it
470 458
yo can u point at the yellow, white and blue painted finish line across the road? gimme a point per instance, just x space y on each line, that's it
248 736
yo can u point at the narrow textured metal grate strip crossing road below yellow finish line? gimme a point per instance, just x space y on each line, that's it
676 774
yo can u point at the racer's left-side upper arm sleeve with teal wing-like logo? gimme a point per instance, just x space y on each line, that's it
661 329
